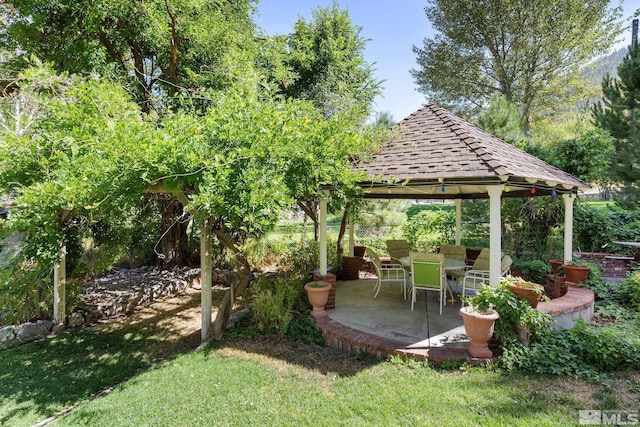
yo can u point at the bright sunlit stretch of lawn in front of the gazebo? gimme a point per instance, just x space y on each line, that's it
228 387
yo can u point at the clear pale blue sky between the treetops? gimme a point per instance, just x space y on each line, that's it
392 27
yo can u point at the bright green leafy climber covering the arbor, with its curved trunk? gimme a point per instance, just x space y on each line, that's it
90 159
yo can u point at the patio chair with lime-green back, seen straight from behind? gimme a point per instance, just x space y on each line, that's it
427 273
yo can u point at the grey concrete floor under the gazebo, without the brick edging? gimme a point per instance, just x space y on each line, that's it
389 315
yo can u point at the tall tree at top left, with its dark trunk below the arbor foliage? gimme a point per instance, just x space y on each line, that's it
167 54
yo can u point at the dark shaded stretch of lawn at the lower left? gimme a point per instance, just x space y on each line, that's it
42 378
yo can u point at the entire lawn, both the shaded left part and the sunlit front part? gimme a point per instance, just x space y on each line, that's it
263 383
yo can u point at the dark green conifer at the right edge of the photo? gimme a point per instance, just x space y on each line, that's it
619 113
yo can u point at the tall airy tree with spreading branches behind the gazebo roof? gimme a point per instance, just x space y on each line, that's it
527 51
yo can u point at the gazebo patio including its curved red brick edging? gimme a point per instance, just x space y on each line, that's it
386 326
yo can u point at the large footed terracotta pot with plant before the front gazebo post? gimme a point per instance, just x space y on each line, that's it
479 318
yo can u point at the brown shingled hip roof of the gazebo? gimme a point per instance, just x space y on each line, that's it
432 149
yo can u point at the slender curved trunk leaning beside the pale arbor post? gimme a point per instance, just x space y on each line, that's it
238 286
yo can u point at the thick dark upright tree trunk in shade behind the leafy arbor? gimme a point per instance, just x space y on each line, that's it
173 242
